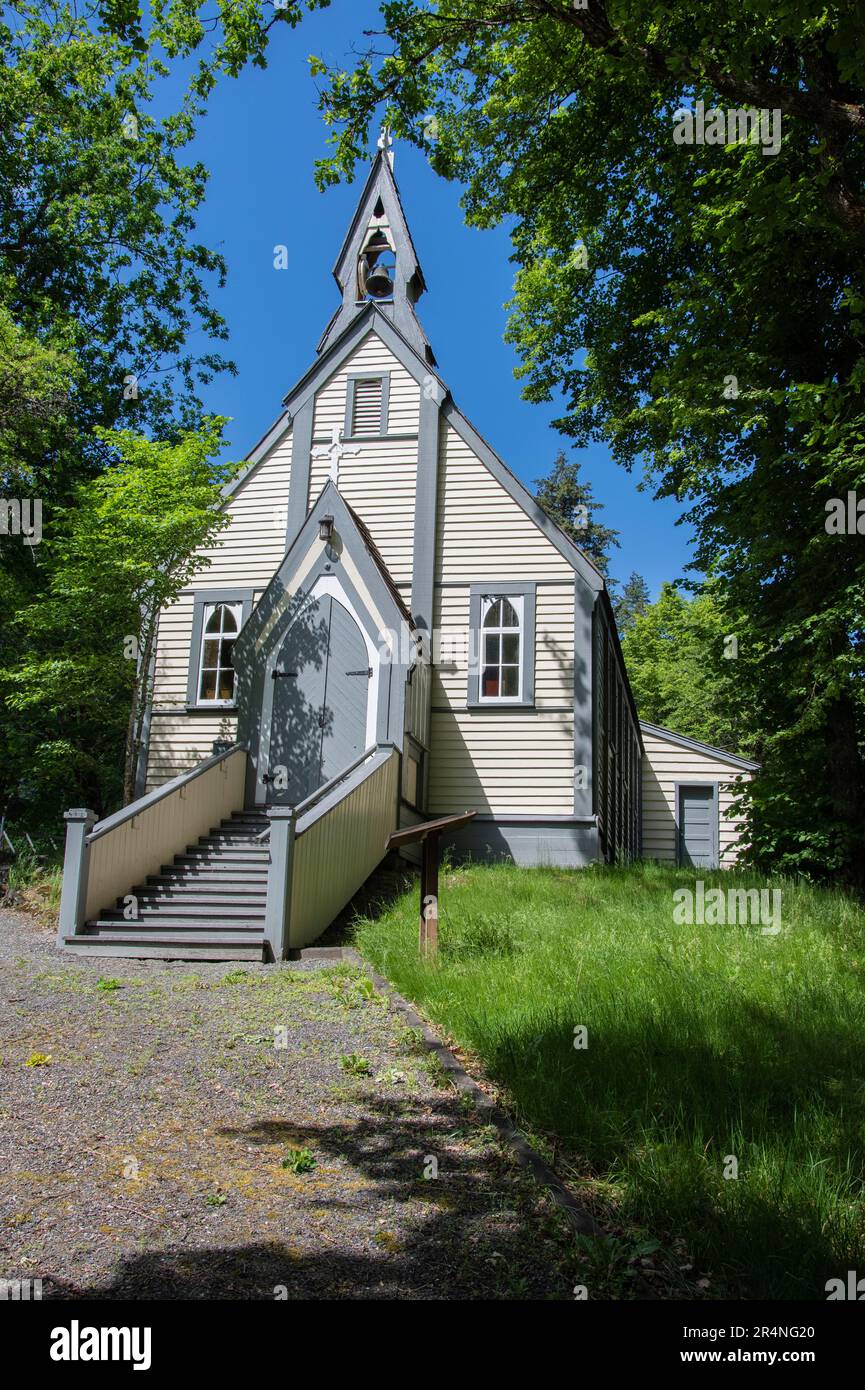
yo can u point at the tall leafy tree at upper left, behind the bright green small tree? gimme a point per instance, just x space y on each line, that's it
106 325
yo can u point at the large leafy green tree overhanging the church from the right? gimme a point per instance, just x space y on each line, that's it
700 308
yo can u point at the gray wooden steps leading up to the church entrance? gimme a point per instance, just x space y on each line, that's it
208 906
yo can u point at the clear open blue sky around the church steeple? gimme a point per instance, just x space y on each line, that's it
259 141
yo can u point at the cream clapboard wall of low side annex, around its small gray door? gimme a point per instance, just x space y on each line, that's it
667 764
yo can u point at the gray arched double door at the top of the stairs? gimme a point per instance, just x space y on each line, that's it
319 703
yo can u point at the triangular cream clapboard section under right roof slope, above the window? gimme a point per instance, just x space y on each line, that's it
482 530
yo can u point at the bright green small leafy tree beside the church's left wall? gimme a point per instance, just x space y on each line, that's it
127 547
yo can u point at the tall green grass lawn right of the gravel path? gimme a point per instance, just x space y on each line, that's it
703 1042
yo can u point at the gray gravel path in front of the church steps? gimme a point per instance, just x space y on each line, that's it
145 1128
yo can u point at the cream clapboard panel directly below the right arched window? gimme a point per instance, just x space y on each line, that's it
501 764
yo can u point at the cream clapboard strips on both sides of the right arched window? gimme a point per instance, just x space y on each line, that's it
554 647
